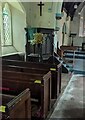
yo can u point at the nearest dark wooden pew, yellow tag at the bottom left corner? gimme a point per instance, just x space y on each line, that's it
16 106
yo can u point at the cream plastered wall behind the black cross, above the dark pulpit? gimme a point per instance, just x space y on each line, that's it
48 15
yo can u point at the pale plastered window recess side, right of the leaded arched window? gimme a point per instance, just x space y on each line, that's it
18 23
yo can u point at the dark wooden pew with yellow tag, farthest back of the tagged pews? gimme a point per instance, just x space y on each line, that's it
55 72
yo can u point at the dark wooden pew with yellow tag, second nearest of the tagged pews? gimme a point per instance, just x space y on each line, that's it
39 86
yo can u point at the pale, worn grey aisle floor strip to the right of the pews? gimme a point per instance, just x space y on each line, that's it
70 105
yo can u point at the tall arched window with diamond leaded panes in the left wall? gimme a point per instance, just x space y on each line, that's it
6 21
